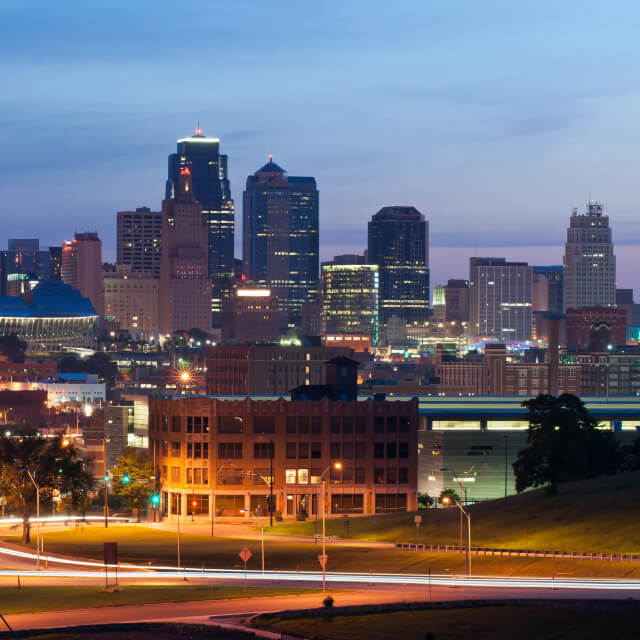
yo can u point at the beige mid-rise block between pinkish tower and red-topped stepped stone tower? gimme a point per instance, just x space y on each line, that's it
131 299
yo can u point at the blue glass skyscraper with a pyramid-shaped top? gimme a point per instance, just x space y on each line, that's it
280 237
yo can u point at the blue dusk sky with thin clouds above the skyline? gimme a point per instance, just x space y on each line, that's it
493 118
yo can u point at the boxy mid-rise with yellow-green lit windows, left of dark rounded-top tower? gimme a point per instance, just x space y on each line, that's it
350 299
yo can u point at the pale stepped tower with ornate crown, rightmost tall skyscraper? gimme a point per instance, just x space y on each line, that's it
589 262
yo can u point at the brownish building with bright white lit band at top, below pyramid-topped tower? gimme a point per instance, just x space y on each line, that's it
250 315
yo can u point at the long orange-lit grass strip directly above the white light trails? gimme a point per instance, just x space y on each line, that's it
146 545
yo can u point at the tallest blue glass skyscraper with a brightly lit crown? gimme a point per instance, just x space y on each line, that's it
208 169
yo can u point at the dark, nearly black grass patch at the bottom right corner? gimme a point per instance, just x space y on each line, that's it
482 623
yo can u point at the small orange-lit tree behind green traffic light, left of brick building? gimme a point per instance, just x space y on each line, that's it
132 480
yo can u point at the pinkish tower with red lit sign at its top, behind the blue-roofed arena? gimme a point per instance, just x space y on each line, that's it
82 267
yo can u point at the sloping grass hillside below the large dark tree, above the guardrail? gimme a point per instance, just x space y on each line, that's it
593 515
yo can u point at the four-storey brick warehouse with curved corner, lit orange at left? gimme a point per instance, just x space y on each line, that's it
216 453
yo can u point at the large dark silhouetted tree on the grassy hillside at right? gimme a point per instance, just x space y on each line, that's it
564 443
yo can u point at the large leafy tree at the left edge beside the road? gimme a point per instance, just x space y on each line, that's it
55 465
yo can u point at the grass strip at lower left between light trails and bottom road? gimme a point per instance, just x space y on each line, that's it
37 599
